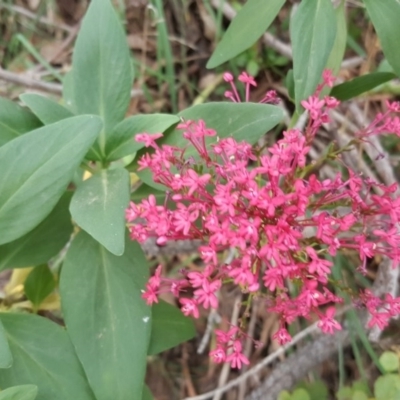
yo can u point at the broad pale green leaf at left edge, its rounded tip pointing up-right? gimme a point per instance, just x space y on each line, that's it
36 169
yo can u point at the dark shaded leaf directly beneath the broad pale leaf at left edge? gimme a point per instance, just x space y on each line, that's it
43 242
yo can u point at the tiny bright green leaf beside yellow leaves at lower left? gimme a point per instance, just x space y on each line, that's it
39 284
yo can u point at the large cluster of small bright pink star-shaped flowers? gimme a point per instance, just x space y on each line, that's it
282 221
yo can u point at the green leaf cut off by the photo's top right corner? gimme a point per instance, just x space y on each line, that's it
385 18
